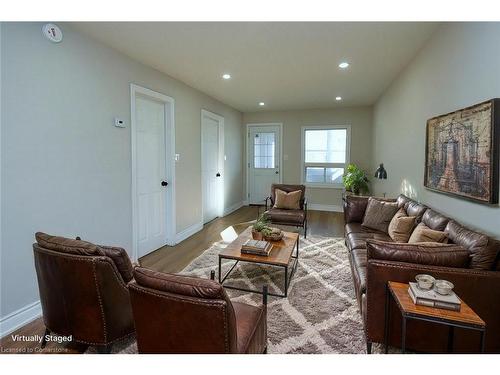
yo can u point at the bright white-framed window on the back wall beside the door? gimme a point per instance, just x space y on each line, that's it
325 154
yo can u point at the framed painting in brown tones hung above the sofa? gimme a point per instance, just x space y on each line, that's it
462 152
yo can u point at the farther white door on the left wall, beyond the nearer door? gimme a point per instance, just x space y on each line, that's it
212 150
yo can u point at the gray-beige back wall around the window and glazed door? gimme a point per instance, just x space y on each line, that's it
360 119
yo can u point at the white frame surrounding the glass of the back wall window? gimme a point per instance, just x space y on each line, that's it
303 164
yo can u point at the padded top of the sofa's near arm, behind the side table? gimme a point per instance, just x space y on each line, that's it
435 254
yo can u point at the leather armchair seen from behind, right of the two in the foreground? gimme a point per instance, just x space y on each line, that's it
180 314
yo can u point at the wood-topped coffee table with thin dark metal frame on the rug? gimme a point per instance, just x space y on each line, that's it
281 255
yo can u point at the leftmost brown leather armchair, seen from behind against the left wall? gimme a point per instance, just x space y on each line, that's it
83 290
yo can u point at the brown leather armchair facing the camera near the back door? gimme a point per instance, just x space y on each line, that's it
297 218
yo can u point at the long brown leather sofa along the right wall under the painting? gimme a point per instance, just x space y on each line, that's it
471 262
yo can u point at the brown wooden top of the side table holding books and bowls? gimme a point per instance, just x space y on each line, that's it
465 316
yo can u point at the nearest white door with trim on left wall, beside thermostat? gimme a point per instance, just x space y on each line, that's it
153 170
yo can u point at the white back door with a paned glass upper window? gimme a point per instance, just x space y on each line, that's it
264 155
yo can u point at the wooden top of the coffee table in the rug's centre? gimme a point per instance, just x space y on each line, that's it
280 254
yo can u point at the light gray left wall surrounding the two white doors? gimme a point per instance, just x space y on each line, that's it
65 167
